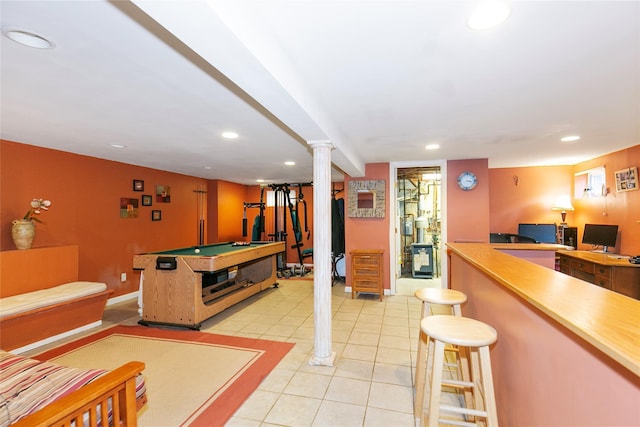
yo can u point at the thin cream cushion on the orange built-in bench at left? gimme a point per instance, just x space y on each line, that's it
45 297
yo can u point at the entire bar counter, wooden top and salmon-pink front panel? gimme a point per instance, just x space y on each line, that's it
568 352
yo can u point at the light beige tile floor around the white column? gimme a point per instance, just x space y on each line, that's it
371 382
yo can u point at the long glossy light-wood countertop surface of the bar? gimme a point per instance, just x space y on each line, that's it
607 320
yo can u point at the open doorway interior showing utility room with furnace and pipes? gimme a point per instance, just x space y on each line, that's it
418 232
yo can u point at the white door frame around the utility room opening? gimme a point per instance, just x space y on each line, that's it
394 224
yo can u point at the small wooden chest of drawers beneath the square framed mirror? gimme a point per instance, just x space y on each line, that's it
366 271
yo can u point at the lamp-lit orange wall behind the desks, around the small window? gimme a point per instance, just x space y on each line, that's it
537 187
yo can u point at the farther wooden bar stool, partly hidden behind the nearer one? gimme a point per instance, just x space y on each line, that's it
448 302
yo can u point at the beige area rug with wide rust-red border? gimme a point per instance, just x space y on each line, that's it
192 378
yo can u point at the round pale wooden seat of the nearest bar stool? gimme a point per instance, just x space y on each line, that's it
458 330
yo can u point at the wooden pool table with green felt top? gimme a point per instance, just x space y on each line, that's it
183 288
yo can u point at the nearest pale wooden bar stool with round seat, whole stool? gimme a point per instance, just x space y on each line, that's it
476 337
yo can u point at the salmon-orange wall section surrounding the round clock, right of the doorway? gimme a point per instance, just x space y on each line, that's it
468 211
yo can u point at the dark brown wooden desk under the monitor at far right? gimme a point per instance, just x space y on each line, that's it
606 270
